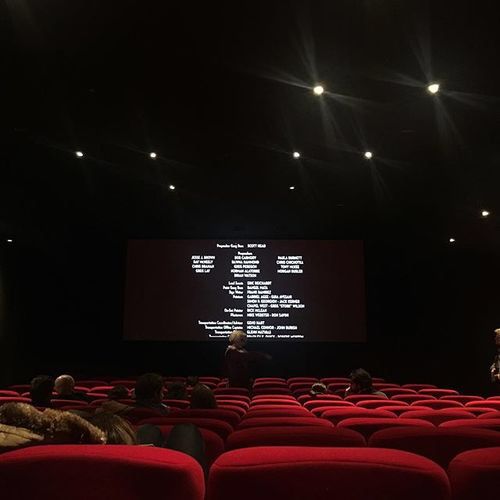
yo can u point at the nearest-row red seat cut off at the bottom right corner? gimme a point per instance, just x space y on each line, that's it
475 474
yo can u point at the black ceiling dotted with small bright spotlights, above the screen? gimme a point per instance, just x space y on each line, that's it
222 92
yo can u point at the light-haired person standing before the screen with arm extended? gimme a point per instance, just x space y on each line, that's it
238 360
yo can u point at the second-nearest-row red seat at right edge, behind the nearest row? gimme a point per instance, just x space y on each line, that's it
436 443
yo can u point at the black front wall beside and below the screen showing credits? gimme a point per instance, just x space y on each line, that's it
431 312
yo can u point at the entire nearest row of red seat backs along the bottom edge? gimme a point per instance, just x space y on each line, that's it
318 473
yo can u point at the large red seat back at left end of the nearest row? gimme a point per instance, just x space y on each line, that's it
83 472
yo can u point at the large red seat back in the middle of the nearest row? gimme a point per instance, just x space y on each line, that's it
315 473
